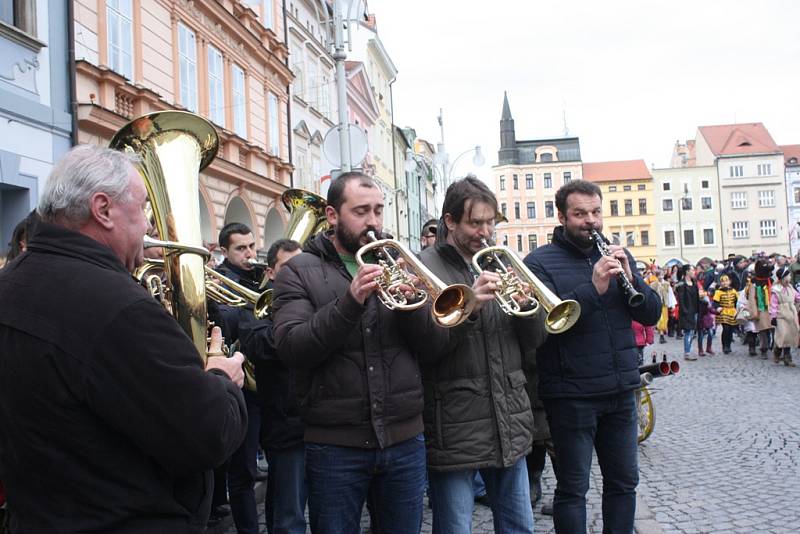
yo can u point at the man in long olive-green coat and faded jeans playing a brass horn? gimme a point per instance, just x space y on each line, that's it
477 412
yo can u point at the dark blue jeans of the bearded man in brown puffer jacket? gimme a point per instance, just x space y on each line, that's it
340 479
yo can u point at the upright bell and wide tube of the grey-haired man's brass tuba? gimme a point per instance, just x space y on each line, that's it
173 147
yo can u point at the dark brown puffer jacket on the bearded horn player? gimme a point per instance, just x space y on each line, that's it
357 373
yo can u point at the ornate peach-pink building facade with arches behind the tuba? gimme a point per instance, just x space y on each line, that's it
225 60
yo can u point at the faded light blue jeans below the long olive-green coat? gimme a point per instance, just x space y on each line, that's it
508 491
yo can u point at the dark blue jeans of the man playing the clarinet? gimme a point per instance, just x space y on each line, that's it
609 425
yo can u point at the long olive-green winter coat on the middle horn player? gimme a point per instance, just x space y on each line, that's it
477 412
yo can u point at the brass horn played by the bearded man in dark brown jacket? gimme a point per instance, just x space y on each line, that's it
451 305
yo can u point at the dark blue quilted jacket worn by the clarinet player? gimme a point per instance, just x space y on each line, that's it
598 355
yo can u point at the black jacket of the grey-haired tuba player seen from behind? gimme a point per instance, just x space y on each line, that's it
109 422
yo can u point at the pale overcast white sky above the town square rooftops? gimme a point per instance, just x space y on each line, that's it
631 77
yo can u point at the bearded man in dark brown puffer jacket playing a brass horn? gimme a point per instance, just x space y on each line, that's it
358 377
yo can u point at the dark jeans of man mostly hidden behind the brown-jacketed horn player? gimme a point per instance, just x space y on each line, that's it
287 493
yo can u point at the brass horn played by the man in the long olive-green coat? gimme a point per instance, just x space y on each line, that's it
561 314
